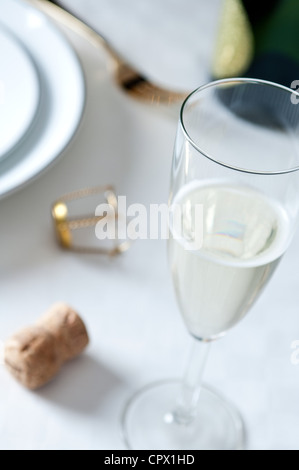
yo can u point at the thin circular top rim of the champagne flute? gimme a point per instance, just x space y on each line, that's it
236 80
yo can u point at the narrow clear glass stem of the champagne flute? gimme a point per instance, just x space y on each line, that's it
189 396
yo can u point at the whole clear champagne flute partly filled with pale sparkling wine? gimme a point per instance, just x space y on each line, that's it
235 180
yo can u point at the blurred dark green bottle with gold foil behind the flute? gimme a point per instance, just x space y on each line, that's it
259 40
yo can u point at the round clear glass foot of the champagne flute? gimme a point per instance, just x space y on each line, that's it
148 422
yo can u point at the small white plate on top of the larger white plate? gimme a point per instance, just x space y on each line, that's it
19 92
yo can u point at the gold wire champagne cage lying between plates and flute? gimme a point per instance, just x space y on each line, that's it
66 225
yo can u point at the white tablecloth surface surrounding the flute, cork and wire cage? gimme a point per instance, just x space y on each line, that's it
137 334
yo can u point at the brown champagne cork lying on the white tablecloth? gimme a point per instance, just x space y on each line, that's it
36 354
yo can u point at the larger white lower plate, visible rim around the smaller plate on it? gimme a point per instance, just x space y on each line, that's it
62 94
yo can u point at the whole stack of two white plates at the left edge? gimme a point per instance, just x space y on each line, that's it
42 94
